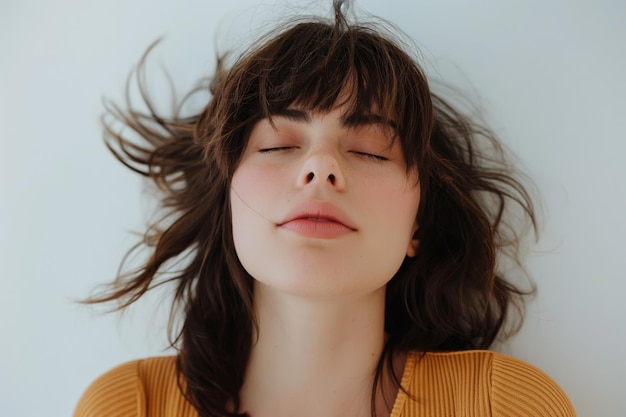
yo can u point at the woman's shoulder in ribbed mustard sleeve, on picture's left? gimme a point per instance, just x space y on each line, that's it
133 389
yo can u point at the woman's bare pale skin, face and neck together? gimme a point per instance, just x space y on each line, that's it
319 292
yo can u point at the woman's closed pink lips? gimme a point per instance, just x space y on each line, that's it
320 219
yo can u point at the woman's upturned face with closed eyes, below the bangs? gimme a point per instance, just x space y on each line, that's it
323 206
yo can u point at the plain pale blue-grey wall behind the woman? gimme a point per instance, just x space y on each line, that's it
550 76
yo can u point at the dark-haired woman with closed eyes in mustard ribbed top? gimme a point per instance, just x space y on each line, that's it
333 235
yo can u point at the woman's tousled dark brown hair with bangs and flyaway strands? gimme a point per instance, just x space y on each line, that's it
449 296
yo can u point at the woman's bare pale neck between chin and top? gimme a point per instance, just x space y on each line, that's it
314 356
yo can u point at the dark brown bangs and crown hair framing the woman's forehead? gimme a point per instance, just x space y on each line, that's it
318 66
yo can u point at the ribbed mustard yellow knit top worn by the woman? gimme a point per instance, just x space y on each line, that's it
464 384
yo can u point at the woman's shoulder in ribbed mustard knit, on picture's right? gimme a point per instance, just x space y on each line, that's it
482 383
